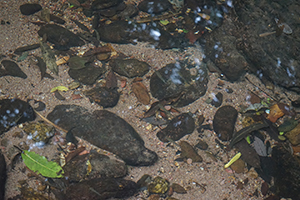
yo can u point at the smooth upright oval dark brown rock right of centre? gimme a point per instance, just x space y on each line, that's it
224 121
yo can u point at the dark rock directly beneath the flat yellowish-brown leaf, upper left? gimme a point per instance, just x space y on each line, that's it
87 75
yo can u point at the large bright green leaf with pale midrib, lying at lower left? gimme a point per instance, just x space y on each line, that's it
41 165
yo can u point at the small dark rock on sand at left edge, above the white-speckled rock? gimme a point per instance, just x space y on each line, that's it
11 69
